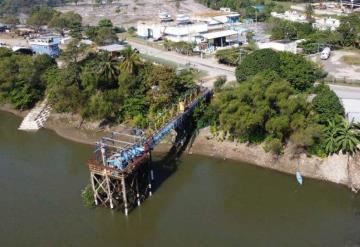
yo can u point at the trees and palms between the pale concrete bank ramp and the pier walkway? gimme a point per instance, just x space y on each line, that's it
100 87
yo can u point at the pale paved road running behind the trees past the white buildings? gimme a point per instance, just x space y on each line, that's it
214 69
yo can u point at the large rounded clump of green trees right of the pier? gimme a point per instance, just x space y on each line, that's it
273 104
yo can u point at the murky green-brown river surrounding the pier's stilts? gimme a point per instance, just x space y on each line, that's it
206 202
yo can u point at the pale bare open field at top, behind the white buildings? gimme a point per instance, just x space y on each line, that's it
129 12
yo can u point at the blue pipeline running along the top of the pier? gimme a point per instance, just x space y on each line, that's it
122 159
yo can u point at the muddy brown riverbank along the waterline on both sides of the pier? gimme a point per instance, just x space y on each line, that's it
332 169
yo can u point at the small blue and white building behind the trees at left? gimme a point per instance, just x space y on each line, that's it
46 45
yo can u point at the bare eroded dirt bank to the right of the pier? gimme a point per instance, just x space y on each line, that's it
332 169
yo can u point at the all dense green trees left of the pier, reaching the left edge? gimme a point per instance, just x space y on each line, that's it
96 85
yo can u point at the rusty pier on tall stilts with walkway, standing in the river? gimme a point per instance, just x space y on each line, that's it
120 171
